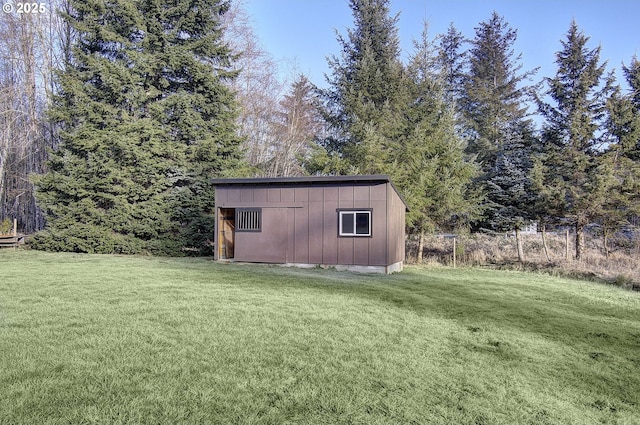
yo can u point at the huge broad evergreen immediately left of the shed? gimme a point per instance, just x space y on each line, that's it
146 121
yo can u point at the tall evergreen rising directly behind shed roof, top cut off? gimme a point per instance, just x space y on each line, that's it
366 98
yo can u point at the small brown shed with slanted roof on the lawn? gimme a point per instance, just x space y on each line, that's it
350 222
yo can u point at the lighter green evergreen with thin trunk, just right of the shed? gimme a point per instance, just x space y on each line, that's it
432 171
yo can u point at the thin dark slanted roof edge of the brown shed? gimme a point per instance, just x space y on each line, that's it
309 180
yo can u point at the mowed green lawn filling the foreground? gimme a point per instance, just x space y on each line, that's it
110 339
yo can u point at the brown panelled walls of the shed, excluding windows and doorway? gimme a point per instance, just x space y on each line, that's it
300 224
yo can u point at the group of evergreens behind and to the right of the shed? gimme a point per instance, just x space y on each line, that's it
453 128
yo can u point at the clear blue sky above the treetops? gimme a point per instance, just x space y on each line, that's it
301 34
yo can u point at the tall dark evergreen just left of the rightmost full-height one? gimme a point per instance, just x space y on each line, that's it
493 109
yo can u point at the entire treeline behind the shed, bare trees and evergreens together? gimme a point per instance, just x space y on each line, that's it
150 100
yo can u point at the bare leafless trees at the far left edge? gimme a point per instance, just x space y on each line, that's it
30 49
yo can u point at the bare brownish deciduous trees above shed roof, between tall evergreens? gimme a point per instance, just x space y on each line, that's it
277 127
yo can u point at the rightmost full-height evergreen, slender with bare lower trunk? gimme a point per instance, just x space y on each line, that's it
573 144
